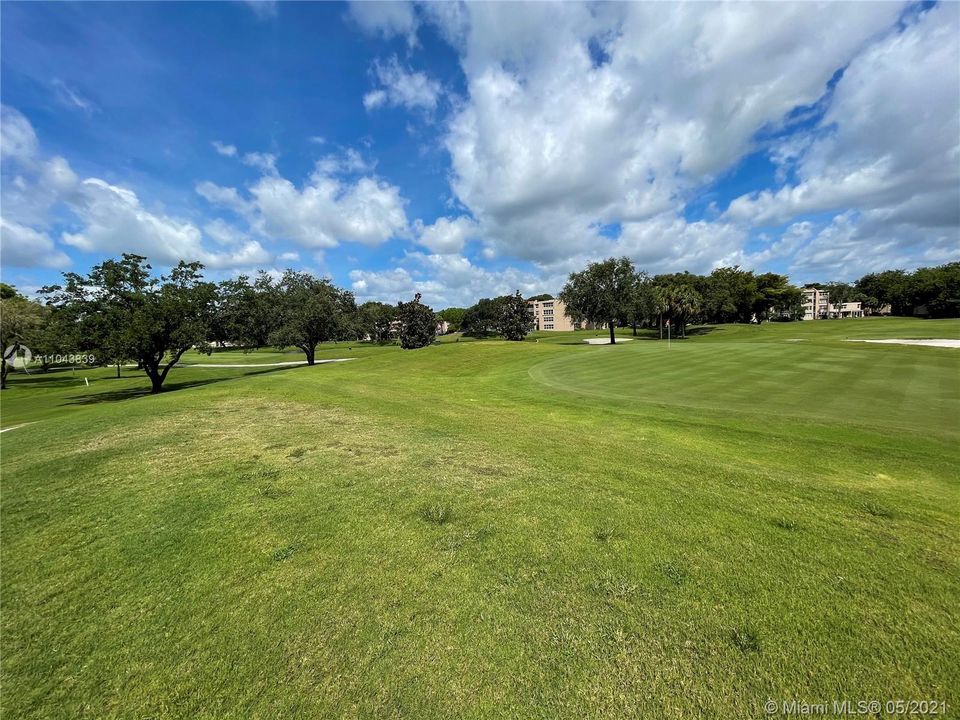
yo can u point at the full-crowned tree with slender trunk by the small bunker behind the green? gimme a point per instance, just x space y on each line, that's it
602 293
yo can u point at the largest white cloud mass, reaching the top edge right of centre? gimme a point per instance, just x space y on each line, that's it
618 112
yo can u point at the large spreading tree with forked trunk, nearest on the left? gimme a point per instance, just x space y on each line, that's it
122 310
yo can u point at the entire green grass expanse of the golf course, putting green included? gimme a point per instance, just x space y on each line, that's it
491 529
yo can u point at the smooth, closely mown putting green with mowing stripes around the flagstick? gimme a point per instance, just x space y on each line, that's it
902 388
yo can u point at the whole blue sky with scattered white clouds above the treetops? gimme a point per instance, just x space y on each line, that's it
468 150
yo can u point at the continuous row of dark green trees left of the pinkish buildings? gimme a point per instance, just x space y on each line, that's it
120 312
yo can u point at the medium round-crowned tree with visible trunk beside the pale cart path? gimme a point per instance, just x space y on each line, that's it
309 311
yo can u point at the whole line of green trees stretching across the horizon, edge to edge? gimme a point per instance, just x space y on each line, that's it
120 312
